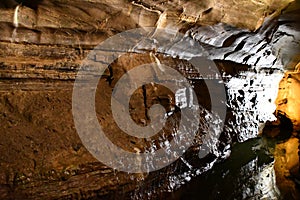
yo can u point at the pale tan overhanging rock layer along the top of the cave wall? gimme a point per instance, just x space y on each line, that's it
88 22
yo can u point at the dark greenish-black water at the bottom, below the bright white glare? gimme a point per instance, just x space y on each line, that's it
247 174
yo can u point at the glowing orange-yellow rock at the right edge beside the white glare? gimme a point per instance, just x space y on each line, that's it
287 152
